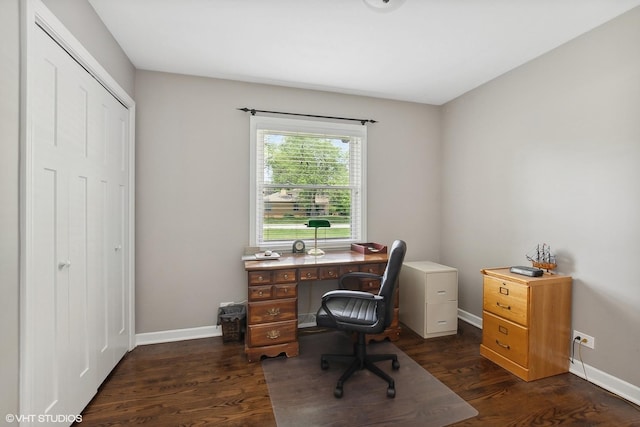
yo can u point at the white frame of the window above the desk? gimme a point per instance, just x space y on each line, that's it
258 123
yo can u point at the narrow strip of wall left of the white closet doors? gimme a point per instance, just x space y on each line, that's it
9 220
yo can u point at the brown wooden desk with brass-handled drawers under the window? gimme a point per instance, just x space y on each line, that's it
272 315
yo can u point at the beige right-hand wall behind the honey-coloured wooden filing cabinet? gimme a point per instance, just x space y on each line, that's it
549 153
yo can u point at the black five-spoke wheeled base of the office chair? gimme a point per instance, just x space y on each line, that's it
361 360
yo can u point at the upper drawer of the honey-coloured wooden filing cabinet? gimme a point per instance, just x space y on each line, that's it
506 299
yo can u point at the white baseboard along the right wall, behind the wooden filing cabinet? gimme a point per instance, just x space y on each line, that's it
595 376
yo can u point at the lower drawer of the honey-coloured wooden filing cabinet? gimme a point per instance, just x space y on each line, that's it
506 338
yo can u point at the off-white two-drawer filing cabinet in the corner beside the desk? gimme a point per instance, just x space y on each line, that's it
429 298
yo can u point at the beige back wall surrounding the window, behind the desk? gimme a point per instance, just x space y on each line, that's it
192 195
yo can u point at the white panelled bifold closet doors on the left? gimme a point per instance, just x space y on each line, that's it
77 299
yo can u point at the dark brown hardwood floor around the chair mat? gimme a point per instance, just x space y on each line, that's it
208 382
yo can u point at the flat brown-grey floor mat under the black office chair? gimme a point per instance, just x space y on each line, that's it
302 393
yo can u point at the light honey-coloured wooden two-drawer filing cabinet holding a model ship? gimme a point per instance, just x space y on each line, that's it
526 322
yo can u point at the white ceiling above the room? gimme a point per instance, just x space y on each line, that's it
427 51
